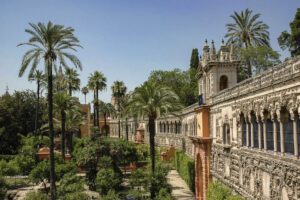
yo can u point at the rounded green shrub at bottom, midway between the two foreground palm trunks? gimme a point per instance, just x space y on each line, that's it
107 180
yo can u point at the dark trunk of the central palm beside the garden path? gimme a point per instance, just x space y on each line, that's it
152 151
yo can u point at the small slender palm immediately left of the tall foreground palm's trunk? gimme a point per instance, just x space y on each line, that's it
39 77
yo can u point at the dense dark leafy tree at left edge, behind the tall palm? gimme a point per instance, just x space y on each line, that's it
17 118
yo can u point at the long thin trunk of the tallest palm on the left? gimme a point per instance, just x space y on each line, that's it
51 130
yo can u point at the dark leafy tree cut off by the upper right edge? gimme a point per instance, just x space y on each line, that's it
291 40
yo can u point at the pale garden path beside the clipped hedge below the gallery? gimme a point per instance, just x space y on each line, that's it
180 190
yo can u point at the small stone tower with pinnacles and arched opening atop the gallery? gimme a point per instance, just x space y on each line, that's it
216 71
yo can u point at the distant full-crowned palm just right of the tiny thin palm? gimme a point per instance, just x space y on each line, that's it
98 81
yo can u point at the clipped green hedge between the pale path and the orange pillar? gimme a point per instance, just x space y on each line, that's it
185 167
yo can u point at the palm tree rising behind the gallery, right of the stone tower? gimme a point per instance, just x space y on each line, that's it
247 31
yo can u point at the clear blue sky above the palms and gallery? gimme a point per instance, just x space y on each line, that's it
127 39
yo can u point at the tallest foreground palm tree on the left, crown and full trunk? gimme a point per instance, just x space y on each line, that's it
50 42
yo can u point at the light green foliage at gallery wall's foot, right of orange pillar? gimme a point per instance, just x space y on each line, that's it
218 191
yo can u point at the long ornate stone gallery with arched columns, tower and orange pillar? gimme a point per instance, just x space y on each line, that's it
246 135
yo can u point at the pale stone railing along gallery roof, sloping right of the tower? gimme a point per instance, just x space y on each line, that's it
280 73
